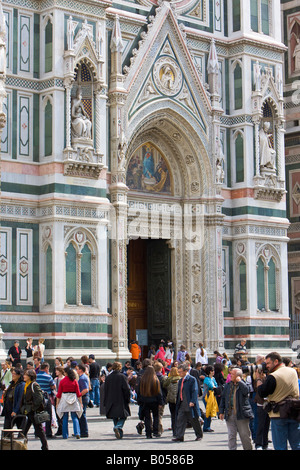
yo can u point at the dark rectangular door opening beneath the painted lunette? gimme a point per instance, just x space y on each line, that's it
149 290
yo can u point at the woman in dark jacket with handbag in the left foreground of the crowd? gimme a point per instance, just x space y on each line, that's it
32 404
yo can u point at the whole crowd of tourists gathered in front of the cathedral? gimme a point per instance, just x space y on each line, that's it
252 398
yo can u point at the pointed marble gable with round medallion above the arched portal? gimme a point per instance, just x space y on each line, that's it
162 70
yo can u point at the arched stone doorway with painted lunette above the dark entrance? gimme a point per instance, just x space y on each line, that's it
167 177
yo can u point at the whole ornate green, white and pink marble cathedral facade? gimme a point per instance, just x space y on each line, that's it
143 185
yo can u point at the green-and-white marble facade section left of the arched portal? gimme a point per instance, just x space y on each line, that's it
54 206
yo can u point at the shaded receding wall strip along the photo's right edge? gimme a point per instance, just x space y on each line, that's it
291 37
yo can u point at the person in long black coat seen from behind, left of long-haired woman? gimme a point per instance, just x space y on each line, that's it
117 398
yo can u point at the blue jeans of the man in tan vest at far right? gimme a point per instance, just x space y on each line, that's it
284 431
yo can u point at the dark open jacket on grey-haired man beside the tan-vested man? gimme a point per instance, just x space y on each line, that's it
243 407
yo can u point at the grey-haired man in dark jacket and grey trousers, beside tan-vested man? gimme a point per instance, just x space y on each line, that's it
236 409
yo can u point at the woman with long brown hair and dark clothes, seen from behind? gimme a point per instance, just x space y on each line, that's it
149 397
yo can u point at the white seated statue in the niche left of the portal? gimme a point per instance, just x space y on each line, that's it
81 124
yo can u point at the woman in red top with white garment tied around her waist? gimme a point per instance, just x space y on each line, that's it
69 400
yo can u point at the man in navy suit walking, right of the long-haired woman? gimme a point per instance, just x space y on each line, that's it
187 406
